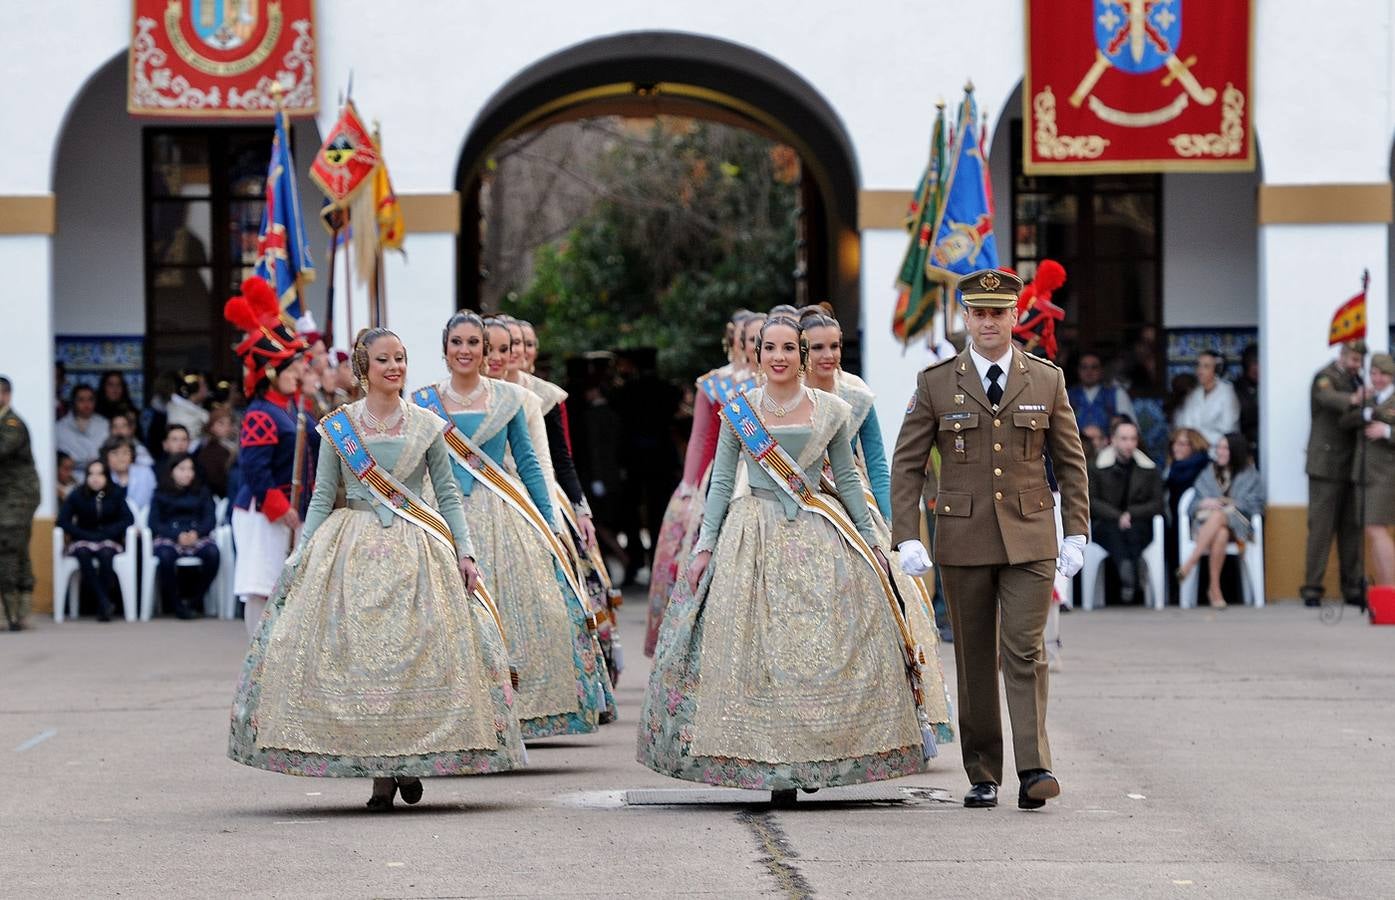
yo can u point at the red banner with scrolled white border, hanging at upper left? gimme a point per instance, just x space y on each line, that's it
223 58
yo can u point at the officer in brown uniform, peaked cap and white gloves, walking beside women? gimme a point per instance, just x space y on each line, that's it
993 412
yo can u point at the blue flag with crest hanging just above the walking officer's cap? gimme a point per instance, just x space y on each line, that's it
965 235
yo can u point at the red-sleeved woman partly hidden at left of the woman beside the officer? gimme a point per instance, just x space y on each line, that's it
681 534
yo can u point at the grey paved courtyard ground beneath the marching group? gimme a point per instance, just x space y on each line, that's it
1234 754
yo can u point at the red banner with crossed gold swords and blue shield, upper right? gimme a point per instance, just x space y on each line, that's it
1138 86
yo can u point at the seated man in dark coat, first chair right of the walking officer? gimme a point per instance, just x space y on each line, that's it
1125 496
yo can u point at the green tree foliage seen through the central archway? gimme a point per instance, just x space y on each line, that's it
688 225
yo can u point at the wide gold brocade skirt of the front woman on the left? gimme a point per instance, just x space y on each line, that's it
372 661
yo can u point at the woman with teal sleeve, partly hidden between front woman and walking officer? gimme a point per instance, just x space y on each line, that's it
824 337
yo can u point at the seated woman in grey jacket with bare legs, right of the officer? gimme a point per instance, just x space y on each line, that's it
1228 493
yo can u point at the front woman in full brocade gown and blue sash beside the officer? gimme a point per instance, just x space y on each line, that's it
783 658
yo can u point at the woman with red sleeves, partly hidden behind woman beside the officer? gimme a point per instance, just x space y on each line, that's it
711 391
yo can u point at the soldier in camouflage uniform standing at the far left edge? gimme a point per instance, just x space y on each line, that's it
19 500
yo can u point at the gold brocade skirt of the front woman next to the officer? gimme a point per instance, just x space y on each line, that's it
786 668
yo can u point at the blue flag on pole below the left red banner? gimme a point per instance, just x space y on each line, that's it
284 256
